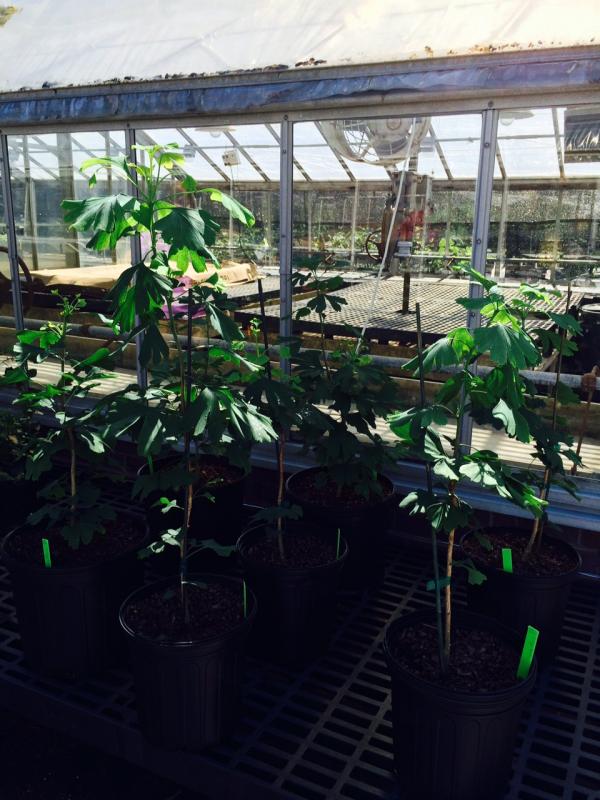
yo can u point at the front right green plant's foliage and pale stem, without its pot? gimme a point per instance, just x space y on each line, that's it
499 396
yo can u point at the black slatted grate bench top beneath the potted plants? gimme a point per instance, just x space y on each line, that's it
324 733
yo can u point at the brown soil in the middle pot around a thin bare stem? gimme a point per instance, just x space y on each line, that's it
301 550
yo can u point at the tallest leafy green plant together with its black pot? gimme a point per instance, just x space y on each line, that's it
187 632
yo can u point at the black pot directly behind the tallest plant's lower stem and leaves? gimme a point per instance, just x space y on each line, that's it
221 519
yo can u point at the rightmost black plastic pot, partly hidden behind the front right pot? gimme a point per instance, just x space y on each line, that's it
522 600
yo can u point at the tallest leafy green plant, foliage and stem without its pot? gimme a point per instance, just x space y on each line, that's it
194 396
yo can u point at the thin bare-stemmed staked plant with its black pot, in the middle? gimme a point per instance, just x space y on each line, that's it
292 567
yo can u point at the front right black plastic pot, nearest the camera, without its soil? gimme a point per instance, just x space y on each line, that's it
452 745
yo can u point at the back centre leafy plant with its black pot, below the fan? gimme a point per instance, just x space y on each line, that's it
345 394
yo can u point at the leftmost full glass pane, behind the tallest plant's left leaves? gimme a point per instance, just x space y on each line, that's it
45 171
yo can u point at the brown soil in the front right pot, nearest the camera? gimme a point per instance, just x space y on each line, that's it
480 660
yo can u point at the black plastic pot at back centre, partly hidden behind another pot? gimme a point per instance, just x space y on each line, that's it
363 527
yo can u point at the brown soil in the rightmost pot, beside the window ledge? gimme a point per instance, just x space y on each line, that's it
550 559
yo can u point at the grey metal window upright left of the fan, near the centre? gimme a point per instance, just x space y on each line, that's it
286 198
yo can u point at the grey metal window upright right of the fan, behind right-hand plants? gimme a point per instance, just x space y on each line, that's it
481 228
